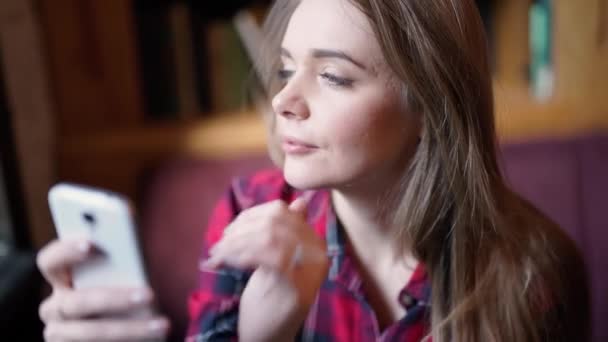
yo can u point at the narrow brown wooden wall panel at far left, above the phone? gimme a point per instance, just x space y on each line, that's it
25 71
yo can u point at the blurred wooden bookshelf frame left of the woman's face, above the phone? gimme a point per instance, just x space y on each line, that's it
99 93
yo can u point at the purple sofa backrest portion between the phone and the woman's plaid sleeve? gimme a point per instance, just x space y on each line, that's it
178 200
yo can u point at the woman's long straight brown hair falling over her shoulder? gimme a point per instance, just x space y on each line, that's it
499 269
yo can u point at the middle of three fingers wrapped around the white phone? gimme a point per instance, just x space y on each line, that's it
69 304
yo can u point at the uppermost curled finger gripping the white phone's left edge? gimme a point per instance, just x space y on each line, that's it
56 259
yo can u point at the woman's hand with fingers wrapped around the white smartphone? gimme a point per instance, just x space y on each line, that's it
100 314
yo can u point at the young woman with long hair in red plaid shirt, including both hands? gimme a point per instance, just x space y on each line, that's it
388 220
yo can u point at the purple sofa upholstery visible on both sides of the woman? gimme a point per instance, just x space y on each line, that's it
567 179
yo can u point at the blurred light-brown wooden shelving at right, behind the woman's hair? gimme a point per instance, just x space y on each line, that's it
579 103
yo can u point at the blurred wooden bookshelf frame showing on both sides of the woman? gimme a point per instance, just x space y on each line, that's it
103 135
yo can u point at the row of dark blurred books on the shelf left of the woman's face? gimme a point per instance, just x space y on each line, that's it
190 64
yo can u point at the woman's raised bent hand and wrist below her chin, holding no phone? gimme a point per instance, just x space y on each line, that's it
290 262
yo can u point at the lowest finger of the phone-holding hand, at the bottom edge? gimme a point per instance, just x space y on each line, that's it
107 330
